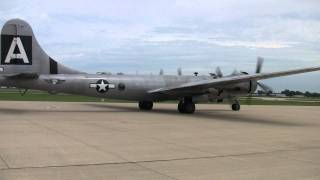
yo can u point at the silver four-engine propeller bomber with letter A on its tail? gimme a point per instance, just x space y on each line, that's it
25 65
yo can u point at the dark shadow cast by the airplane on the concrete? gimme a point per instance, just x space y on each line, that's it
202 114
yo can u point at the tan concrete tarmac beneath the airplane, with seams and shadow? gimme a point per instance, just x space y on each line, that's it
99 141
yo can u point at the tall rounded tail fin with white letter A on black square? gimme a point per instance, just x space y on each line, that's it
21 53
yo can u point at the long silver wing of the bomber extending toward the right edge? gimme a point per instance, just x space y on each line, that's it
204 84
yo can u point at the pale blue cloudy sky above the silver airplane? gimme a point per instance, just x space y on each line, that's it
197 35
